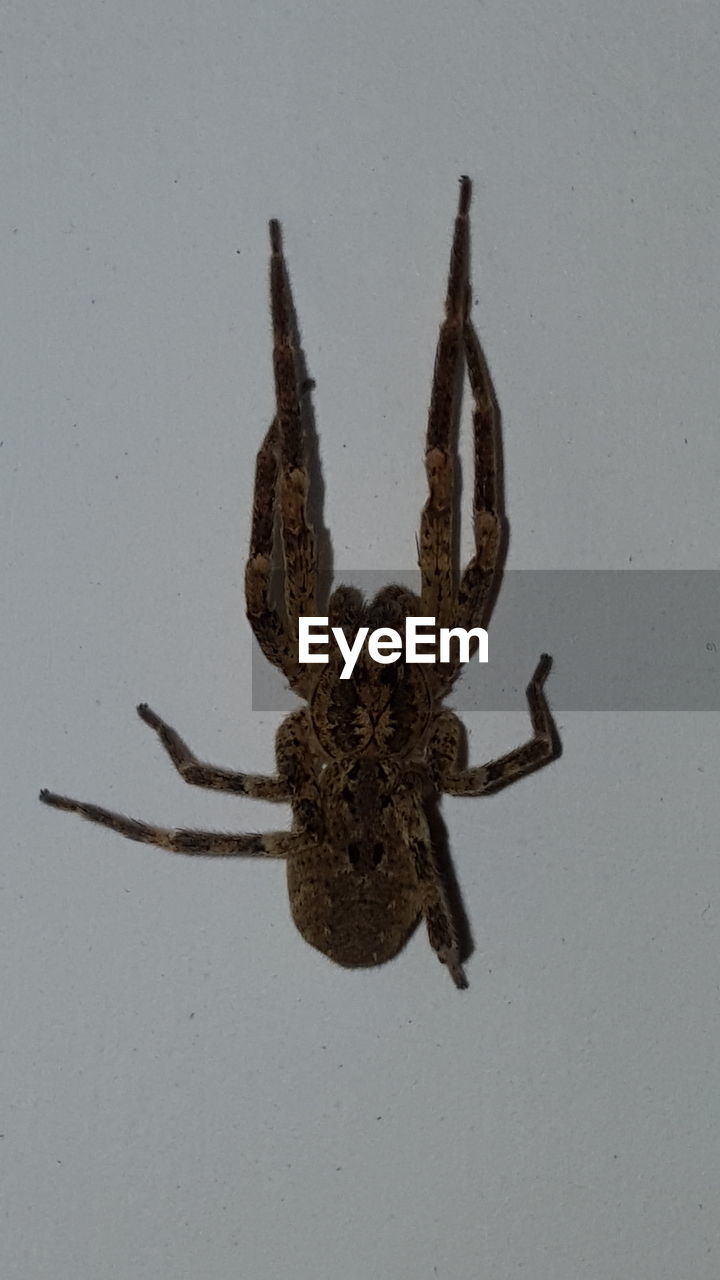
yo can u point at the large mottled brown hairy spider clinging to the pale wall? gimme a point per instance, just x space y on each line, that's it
367 760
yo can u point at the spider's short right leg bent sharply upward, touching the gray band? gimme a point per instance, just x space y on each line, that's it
481 780
